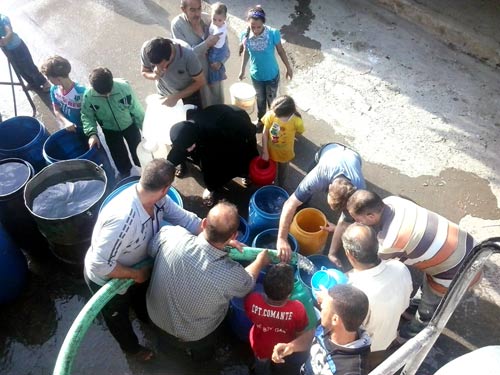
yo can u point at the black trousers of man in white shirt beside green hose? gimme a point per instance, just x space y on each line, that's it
116 314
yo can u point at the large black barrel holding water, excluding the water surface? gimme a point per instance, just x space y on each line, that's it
69 237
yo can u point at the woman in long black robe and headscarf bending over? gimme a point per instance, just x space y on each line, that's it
220 139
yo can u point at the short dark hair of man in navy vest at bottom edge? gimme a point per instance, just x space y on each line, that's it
350 304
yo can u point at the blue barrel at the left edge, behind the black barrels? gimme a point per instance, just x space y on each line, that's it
23 137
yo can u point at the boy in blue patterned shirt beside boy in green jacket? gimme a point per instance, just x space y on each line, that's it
65 94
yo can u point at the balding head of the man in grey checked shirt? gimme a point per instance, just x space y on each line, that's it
222 222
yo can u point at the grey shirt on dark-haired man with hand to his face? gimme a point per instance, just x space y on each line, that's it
180 72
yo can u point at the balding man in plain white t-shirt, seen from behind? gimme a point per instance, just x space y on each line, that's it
388 284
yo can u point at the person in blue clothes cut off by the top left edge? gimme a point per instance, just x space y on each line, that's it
20 57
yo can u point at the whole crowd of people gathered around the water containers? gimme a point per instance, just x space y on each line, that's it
186 293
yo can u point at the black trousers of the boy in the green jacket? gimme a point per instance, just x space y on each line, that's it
114 139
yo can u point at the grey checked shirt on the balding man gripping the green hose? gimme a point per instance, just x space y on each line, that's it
191 284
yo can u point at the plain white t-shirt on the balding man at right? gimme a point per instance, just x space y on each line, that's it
388 287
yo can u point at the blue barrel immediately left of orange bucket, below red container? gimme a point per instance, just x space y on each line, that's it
265 208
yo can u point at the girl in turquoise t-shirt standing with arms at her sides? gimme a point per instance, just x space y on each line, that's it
258 44
